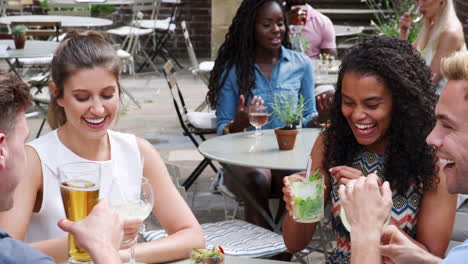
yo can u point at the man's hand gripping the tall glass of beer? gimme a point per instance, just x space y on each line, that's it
100 230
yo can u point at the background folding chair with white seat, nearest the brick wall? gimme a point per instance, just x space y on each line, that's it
163 29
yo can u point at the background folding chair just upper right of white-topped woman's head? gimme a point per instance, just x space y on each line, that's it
131 34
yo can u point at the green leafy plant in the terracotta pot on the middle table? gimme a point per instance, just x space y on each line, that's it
288 107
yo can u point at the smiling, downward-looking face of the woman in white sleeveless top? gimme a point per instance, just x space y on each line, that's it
90 101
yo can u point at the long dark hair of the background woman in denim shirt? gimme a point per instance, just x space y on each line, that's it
238 50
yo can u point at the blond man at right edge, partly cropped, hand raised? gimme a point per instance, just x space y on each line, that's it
367 213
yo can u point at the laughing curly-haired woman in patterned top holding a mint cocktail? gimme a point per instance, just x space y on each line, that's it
382 111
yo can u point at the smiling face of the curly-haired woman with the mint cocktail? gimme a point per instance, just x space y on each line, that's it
367 104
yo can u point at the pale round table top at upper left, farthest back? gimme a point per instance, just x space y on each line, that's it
67 21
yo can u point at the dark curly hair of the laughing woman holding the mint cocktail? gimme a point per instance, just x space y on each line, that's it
401 69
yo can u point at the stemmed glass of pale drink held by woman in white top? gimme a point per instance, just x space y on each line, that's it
138 208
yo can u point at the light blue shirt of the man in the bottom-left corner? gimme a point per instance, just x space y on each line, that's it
14 251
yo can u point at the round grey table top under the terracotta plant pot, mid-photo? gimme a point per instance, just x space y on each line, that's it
245 150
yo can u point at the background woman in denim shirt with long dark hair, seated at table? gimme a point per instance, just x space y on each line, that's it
253 64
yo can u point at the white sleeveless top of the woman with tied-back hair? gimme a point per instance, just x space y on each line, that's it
122 170
